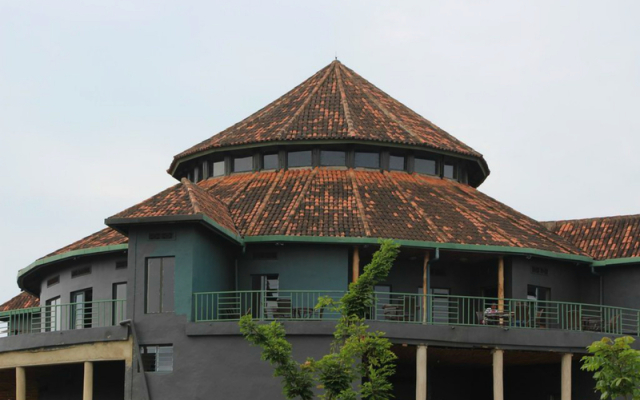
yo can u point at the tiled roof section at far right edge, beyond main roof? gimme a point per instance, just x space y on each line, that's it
602 238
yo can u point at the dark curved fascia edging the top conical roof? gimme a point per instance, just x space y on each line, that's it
480 160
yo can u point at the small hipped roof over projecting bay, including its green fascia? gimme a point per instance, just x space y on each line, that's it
183 202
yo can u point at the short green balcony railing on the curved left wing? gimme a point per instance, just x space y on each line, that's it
62 317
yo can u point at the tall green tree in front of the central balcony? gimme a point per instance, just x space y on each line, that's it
356 353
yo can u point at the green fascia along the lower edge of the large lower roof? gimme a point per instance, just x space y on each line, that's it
422 244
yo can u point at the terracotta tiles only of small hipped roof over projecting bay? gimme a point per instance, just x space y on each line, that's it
185 198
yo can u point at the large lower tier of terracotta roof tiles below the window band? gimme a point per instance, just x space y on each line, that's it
351 203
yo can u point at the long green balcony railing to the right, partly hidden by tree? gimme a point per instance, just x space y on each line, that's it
421 309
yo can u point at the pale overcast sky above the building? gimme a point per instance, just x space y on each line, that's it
96 97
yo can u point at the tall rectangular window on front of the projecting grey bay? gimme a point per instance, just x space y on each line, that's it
159 285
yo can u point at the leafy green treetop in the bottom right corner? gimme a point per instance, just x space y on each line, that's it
616 366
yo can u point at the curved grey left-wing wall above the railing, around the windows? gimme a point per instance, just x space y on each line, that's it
103 275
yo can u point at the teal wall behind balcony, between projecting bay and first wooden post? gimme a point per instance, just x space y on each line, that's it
300 267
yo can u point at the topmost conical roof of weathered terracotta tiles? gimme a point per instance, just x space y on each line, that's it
335 103
